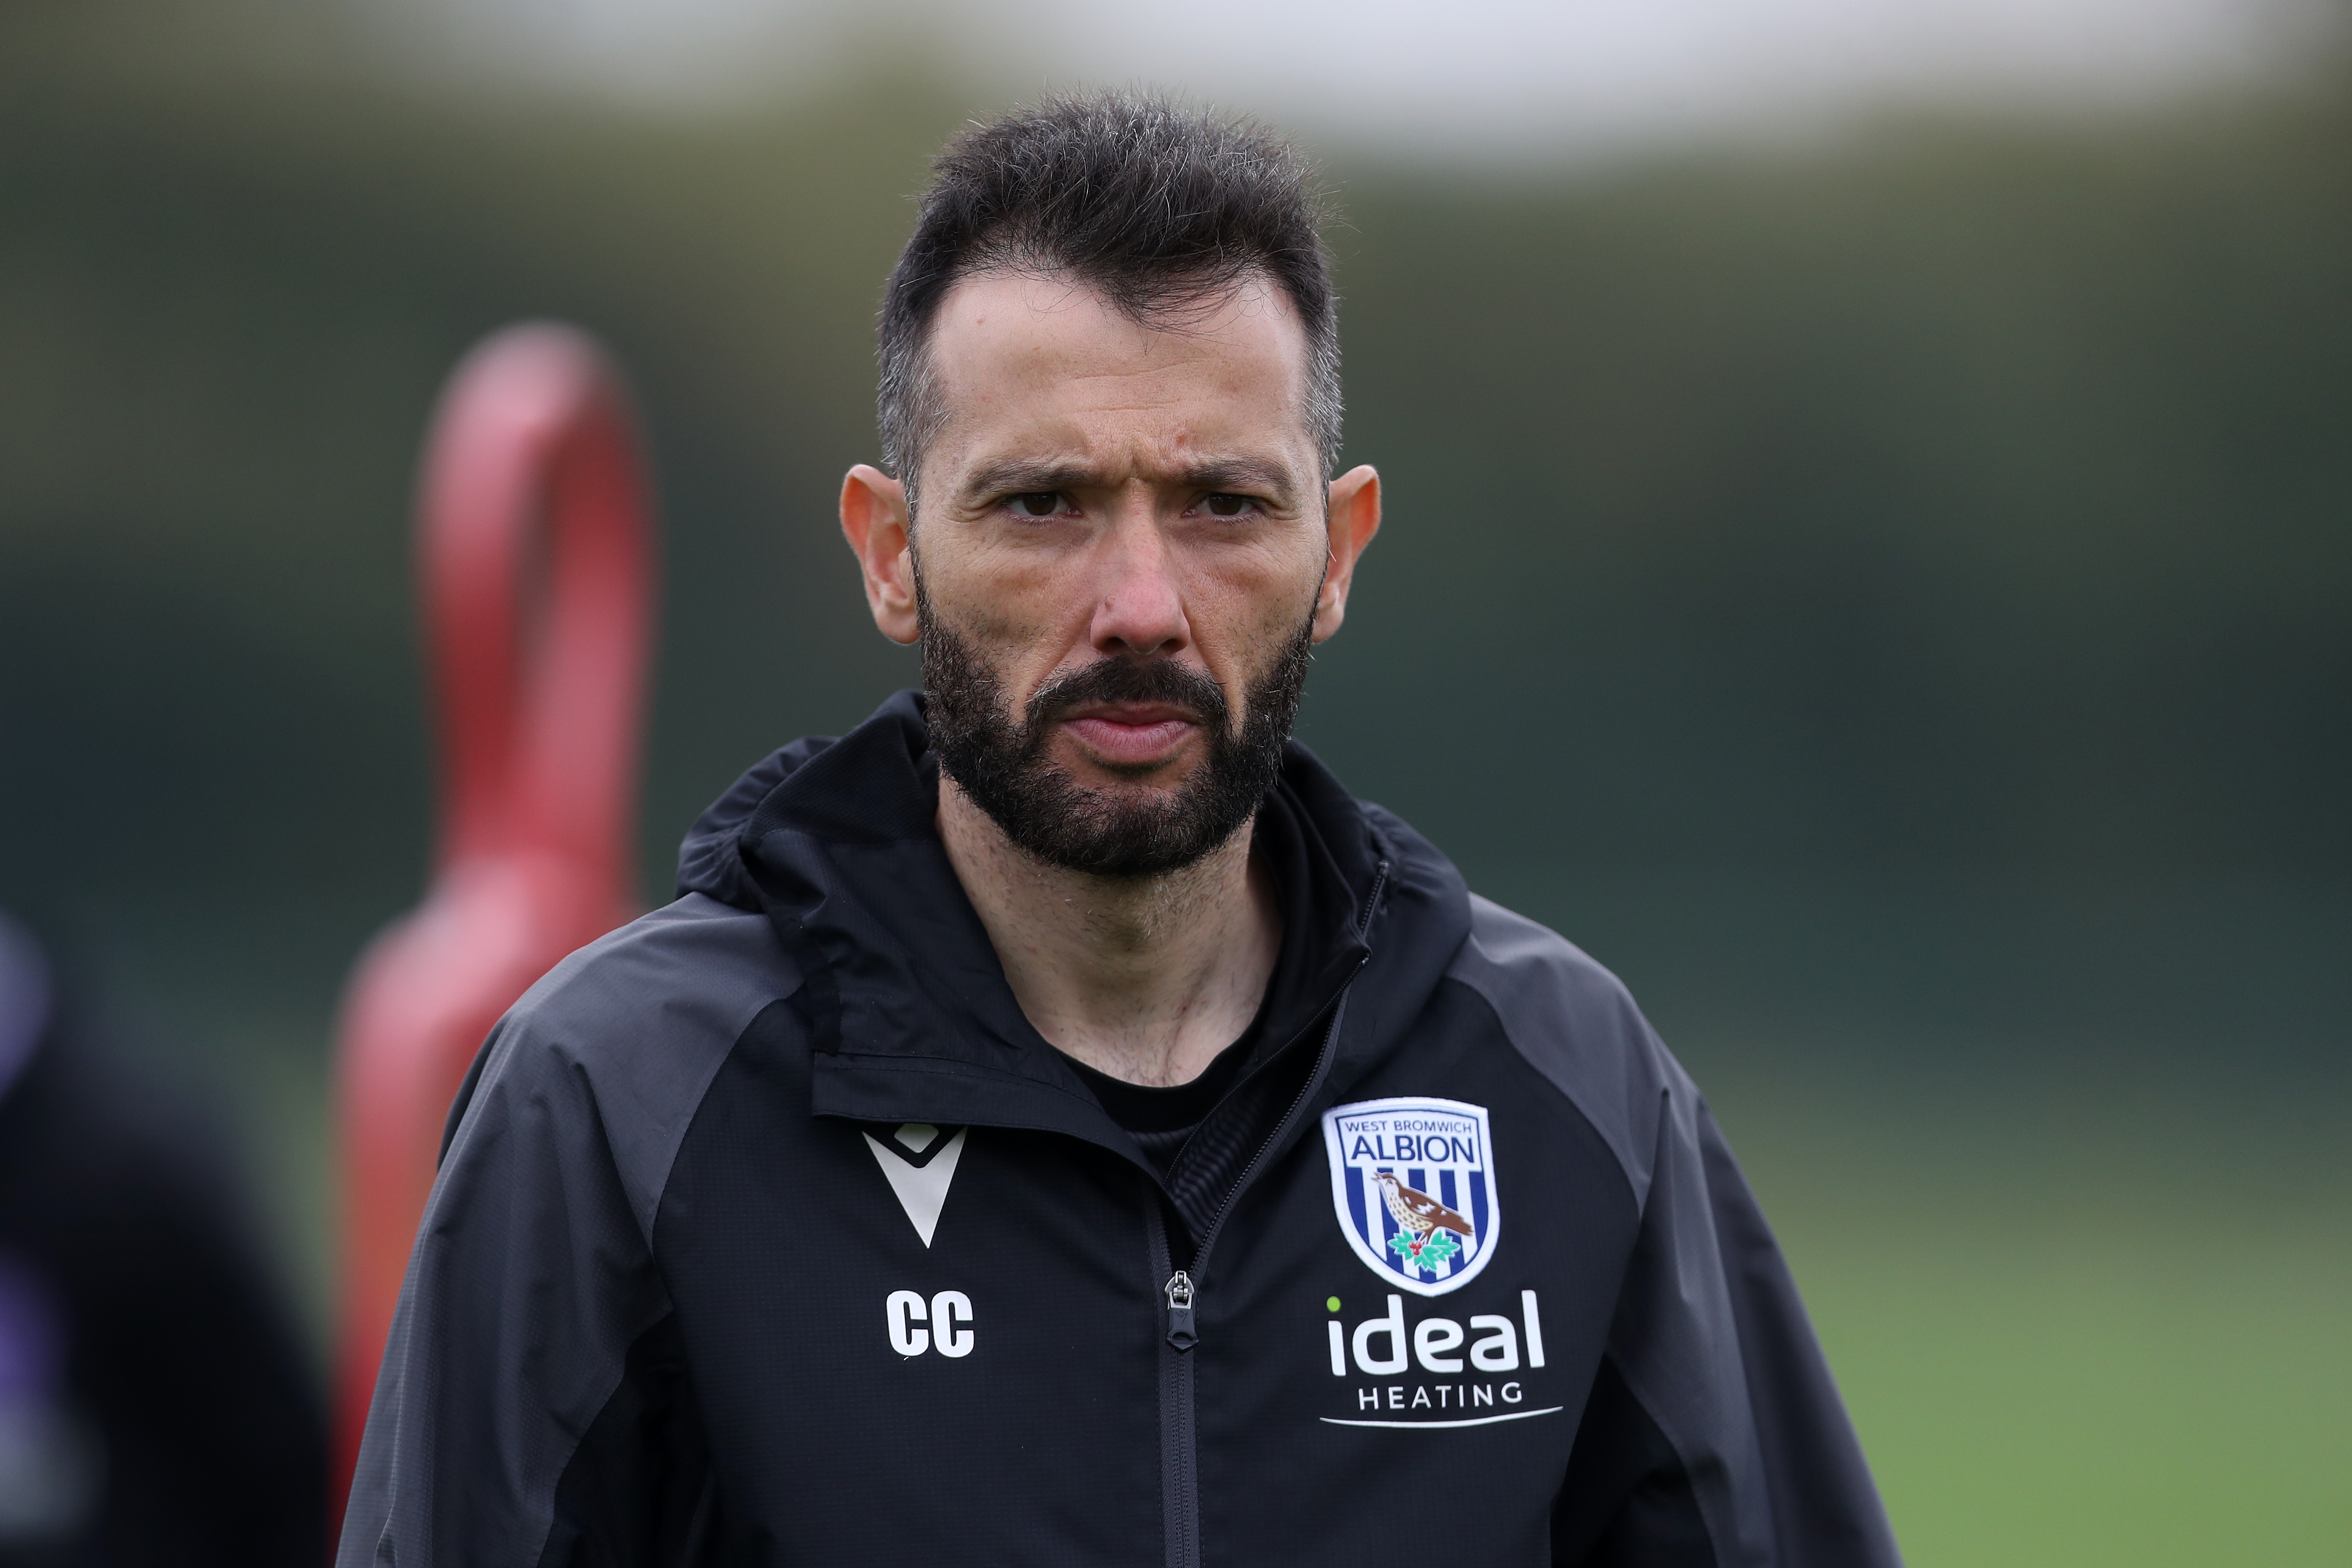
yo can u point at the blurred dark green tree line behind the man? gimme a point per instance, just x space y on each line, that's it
1949 507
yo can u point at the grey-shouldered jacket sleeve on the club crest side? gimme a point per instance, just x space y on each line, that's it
1713 1435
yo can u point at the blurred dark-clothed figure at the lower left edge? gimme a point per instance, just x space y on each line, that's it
154 1398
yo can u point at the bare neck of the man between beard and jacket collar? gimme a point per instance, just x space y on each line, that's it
1144 979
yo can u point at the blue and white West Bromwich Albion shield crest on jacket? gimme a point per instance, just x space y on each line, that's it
1412 1184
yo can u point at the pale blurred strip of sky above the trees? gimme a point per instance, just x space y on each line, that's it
1471 79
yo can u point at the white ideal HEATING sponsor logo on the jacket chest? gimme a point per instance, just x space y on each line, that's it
1438 1372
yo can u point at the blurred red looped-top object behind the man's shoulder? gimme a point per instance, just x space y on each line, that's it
537 565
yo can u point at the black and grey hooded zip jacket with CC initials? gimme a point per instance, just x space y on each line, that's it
770 1233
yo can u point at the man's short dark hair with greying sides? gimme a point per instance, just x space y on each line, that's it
1132 194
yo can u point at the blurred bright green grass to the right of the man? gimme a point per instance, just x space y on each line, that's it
2118 1341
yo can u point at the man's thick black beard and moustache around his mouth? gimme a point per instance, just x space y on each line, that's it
1001 760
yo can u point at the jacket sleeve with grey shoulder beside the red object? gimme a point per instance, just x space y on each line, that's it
535 1402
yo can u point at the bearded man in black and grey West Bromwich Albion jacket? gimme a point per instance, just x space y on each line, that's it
1057 1125
